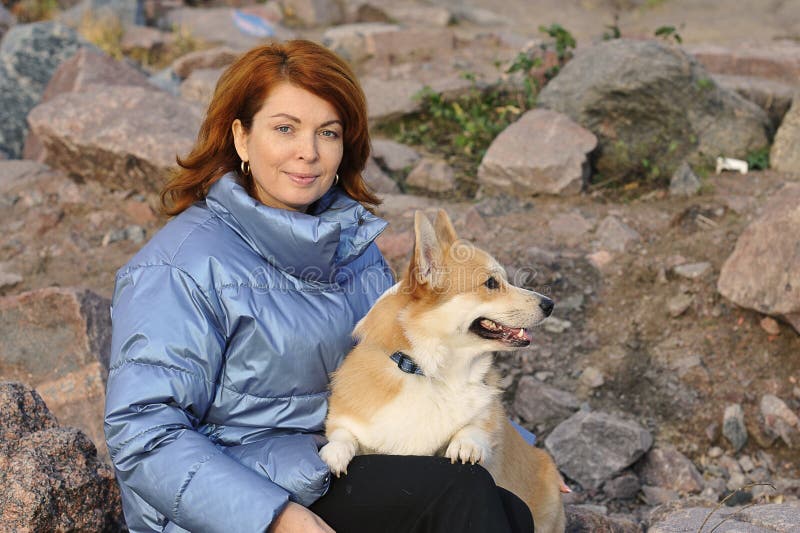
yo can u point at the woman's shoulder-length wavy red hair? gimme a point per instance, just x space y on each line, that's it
240 93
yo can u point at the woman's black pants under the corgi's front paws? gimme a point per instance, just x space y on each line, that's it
409 494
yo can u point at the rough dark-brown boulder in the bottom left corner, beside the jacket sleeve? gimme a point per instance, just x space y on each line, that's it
52 478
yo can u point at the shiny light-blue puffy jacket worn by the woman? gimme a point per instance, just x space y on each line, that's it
226 326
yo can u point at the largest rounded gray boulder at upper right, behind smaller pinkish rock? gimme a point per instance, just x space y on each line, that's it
640 96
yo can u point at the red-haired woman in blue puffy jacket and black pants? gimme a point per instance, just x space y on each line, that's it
228 322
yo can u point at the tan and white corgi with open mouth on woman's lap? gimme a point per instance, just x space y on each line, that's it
420 381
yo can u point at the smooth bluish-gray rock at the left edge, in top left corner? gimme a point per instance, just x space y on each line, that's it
29 55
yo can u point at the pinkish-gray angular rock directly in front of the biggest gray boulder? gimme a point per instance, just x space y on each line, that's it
542 152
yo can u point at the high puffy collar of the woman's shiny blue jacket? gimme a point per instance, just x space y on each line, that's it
309 246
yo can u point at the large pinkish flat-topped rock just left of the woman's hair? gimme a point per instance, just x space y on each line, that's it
124 137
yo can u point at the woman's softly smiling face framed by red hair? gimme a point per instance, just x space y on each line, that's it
294 147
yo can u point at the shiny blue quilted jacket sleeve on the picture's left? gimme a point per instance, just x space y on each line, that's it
167 352
